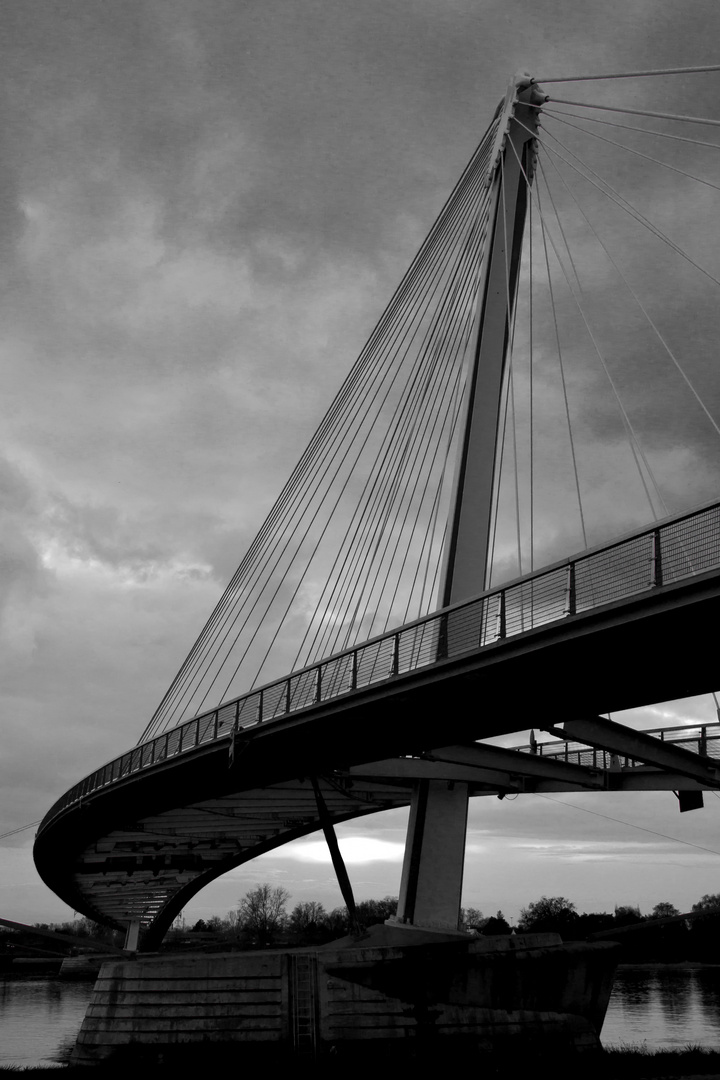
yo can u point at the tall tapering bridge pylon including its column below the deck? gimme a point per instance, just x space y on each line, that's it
431 886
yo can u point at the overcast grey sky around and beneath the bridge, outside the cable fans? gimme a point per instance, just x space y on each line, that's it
205 207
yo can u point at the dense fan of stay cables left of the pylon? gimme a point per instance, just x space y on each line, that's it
355 542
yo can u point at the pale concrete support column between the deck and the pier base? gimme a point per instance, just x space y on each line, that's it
431 886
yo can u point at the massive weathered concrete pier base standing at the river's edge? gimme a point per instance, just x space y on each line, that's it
362 1001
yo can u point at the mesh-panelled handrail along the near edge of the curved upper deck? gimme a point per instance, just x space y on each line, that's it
670 551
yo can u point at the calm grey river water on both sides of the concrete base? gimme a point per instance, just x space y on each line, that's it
653 1007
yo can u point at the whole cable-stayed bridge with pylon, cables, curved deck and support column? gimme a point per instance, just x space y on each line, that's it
381 576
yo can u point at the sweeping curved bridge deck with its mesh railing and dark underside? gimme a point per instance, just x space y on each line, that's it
140 836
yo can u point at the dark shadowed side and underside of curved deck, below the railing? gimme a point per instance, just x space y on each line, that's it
142 847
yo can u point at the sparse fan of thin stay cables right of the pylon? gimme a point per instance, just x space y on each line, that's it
613 384
